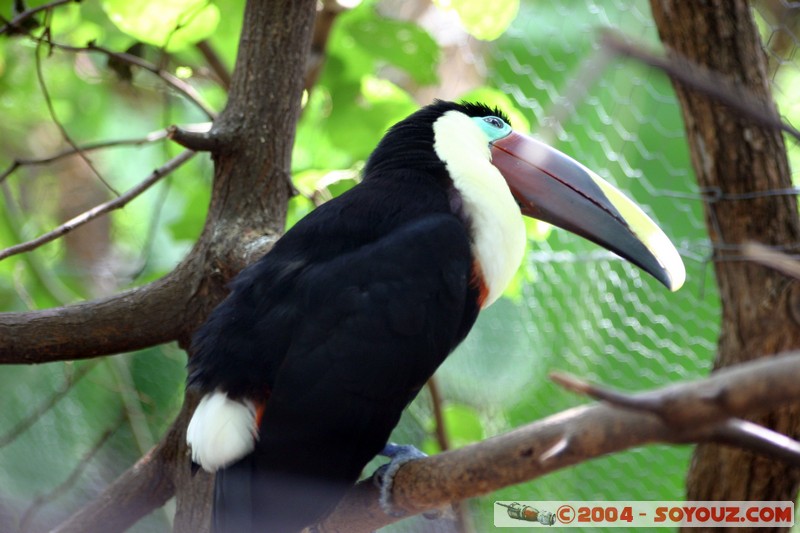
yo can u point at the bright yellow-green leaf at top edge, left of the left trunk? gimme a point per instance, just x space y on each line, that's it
173 24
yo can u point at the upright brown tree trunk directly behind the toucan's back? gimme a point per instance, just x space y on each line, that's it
251 183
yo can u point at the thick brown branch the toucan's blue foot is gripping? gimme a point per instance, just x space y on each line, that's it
574 436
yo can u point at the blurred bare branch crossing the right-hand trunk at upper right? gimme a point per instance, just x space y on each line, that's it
700 79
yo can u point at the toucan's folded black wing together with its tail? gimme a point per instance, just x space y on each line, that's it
365 332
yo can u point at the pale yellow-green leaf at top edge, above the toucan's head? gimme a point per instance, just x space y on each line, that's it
481 22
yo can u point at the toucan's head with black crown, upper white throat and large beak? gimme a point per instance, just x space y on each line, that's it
471 149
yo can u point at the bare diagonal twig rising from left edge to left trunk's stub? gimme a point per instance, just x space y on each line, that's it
101 209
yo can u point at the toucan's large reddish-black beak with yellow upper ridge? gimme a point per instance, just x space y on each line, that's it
553 187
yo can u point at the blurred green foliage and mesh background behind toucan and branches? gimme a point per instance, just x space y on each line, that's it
68 429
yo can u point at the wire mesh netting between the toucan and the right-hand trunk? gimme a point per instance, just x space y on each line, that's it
582 310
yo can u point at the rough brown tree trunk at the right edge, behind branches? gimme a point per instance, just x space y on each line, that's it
735 163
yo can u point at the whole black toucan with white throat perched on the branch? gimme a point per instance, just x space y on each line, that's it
304 369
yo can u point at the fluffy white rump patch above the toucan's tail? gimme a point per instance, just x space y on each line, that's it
221 431
